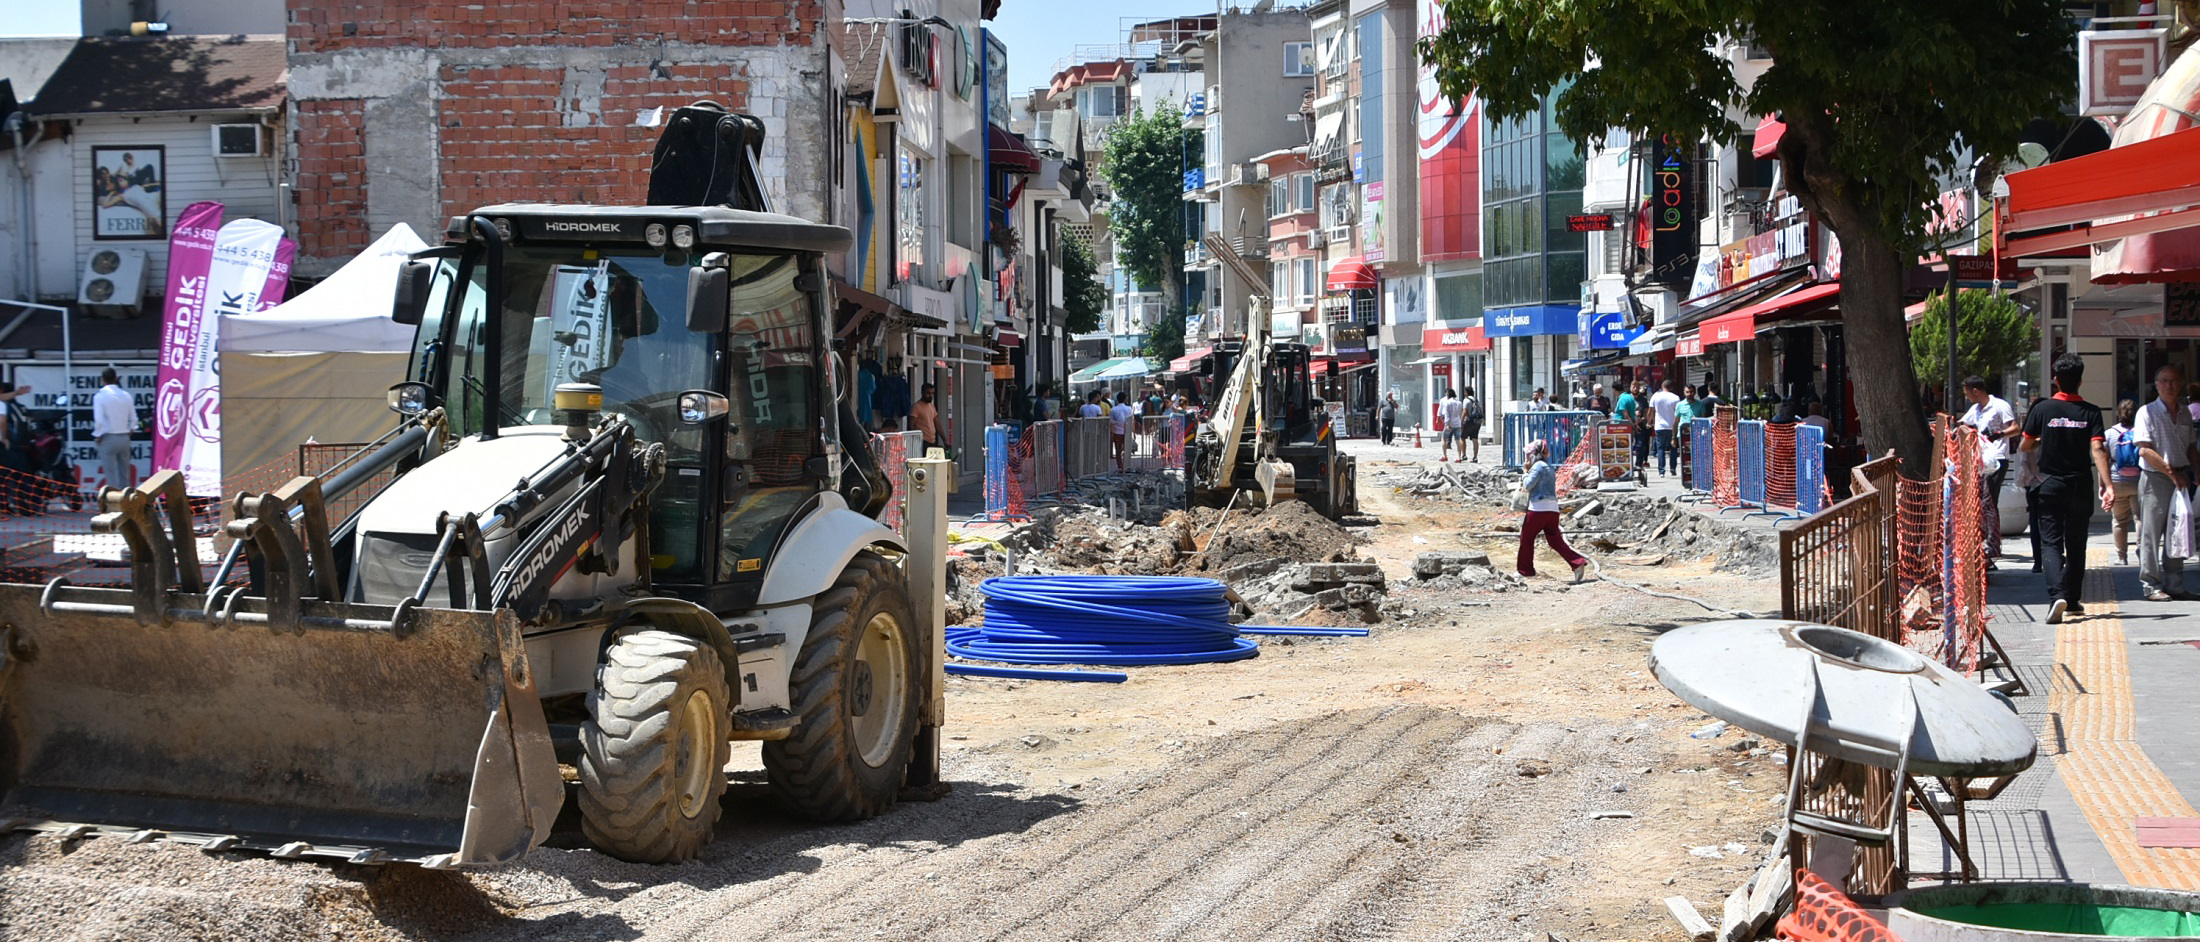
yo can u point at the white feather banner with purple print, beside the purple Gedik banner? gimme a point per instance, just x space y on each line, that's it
241 274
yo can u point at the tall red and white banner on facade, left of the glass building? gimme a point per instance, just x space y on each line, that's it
1451 138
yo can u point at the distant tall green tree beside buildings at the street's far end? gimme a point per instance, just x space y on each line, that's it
1143 164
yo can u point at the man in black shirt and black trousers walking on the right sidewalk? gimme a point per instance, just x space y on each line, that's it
2065 437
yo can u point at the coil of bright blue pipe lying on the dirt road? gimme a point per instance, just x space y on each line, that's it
1119 622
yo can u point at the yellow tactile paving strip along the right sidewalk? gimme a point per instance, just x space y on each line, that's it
2109 776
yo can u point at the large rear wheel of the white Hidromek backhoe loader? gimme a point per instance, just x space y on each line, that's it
855 692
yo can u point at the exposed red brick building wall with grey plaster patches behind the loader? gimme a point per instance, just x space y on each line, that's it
412 111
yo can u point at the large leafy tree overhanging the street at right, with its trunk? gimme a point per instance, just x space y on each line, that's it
1875 96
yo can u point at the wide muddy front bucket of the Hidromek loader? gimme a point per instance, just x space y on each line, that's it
357 736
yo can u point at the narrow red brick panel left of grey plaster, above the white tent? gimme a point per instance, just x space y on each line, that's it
331 177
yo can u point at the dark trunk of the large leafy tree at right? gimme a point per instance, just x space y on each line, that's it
1880 342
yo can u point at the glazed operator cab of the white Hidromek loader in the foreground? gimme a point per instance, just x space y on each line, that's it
652 303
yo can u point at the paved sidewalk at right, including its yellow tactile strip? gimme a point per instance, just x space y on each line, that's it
2111 697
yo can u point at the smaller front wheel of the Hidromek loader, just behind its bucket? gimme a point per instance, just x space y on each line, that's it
654 749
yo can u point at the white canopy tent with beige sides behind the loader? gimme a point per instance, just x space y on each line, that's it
313 369
